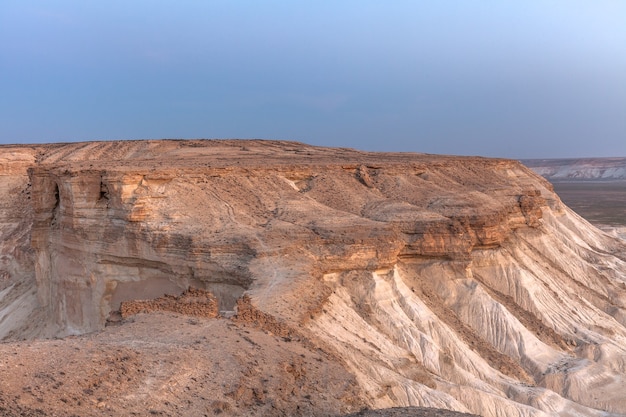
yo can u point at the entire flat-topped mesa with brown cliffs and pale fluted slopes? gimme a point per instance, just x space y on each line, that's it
449 282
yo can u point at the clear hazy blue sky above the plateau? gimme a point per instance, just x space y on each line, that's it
520 79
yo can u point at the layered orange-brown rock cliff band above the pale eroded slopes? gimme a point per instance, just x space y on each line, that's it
100 231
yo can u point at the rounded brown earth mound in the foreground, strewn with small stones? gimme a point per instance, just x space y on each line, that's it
170 365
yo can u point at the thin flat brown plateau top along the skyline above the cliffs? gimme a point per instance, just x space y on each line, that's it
154 154
